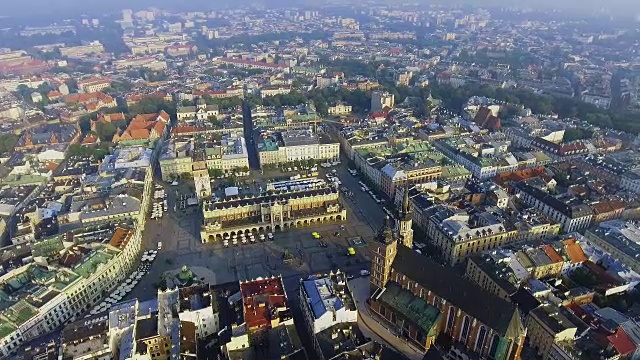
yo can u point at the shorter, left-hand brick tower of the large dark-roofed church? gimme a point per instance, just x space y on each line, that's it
383 251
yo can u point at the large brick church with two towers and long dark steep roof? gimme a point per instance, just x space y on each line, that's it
422 300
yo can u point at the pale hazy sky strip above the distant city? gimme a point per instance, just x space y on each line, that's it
74 7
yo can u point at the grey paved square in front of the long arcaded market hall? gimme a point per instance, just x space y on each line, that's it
213 263
